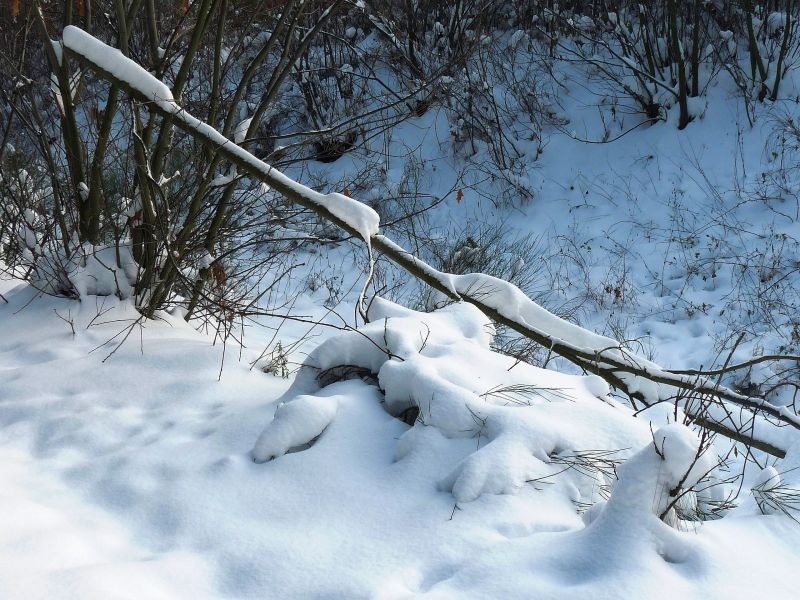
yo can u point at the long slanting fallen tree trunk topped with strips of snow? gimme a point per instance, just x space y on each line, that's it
499 300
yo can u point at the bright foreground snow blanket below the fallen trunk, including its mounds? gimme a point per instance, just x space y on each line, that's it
134 477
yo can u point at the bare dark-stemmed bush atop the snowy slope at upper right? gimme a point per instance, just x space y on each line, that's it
652 56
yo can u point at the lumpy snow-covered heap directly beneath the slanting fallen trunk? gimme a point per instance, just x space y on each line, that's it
437 370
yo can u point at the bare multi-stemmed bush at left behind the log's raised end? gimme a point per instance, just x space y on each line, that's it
102 196
